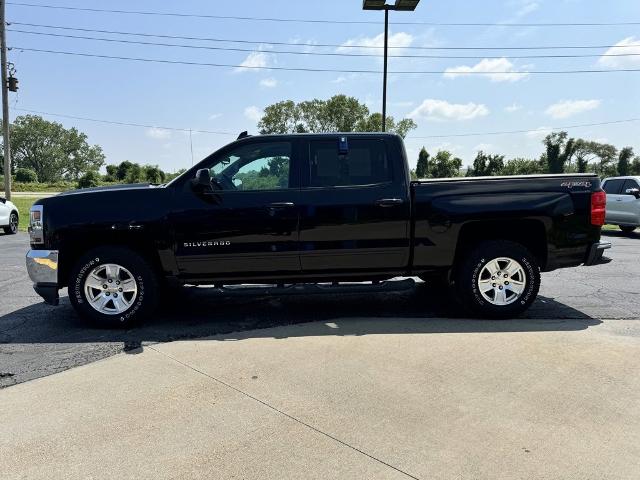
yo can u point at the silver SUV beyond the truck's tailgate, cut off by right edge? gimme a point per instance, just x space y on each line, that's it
623 202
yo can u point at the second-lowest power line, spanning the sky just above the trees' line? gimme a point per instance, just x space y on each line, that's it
328 70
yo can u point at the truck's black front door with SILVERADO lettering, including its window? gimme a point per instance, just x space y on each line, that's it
246 224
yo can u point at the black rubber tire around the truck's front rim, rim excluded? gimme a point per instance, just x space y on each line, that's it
143 303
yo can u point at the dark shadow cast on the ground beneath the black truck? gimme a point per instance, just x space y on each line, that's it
200 313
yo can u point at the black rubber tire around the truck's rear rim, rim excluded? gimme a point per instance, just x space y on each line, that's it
467 276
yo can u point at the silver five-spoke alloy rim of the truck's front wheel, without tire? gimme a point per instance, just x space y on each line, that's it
110 289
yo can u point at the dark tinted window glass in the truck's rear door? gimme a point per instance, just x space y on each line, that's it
365 162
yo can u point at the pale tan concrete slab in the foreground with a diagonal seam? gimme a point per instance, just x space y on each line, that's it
340 399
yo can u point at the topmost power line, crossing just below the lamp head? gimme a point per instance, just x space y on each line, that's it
322 21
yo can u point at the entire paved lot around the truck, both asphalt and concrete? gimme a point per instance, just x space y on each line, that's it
395 385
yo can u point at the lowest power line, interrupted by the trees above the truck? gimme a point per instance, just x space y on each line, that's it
186 130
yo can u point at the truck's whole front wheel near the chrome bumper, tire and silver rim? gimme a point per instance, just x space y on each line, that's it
113 287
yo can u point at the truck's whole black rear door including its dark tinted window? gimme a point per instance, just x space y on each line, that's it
355 206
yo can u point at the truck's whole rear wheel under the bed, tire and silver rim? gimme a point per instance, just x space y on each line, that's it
498 279
